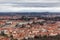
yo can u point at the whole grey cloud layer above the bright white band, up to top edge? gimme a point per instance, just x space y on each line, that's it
31 3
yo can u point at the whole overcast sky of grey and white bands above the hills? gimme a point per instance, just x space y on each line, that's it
29 5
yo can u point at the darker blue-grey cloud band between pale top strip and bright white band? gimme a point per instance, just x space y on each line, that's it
32 4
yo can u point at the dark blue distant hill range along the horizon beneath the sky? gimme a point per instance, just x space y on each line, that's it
28 13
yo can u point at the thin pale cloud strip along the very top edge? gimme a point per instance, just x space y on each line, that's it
29 0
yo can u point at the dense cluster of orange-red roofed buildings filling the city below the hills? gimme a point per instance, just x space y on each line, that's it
20 29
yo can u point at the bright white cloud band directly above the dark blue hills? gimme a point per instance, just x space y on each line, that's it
28 9
